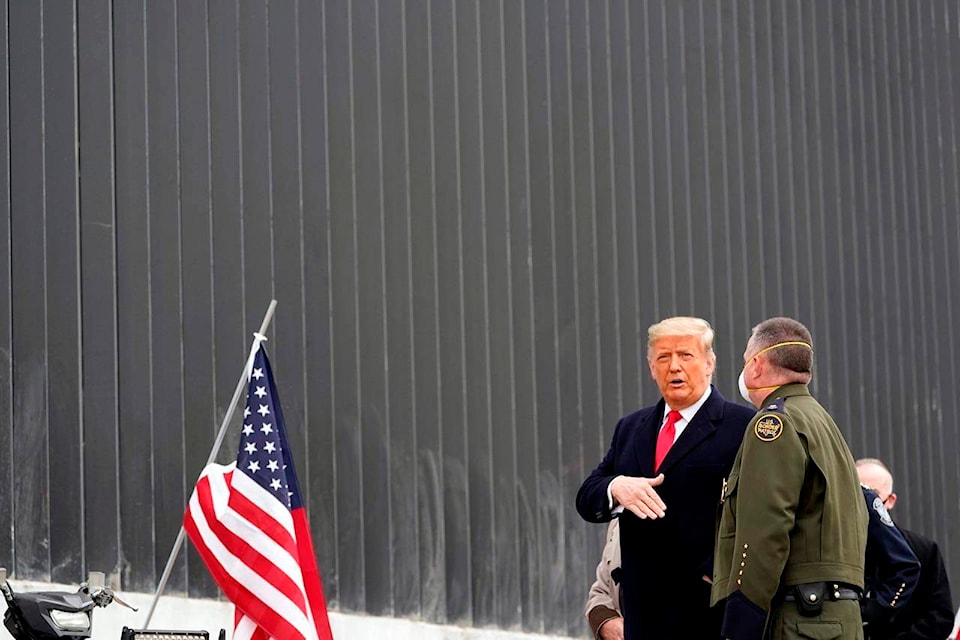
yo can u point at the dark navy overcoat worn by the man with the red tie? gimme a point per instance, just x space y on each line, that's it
663 561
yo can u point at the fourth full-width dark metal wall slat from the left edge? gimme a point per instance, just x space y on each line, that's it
136 444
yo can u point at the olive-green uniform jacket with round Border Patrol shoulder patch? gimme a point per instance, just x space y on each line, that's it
792 511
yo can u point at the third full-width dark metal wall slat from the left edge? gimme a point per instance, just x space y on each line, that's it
98 284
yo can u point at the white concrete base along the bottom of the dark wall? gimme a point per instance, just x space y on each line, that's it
177 613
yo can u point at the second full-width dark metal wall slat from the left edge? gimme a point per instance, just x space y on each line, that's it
60 180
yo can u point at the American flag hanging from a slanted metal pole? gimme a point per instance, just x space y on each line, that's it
249 525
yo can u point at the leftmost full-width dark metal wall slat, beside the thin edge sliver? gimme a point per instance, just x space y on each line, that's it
28 253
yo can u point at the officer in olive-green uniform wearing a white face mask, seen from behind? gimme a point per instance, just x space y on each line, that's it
791 540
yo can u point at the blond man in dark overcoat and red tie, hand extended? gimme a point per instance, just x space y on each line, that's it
663 475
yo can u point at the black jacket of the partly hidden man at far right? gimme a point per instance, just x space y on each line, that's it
928 614
